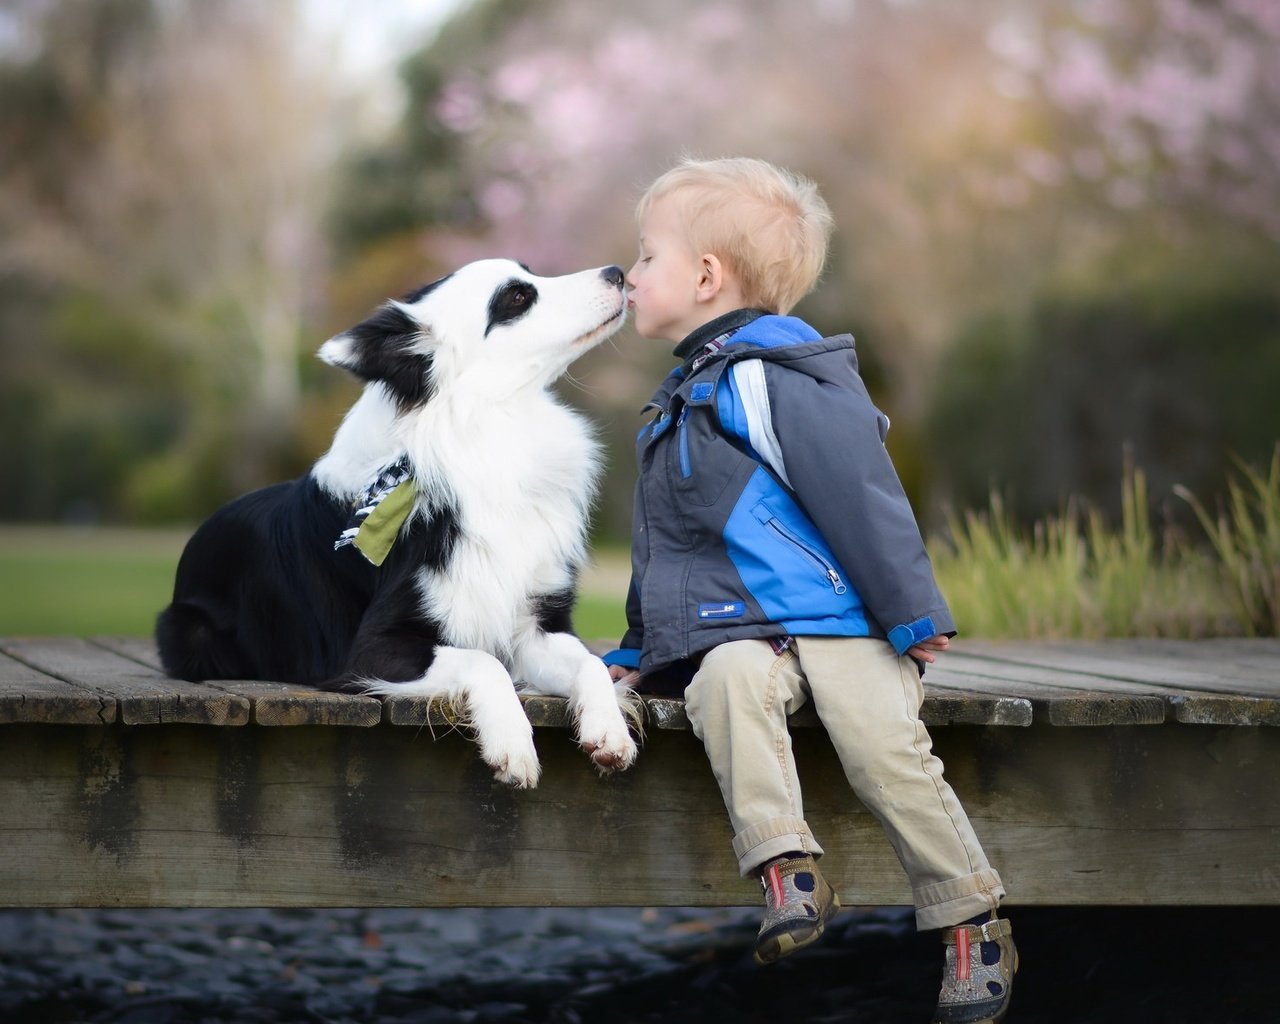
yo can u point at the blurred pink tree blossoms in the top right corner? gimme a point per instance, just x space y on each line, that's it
1169 103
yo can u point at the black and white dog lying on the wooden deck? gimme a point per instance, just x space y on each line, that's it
478 584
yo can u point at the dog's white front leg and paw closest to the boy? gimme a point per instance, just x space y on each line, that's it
559 664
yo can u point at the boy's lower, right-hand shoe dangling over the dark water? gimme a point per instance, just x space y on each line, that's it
979 973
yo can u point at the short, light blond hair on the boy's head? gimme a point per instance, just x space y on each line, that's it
769 226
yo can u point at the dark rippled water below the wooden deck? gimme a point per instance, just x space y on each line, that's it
618 966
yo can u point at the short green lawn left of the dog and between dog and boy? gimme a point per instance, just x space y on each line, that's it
83 583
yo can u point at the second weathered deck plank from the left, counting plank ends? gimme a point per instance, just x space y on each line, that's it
143 696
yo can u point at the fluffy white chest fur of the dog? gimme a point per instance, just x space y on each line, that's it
519 477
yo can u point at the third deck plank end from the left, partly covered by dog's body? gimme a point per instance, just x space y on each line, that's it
269 703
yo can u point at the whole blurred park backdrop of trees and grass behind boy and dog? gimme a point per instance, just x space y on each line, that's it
1058 245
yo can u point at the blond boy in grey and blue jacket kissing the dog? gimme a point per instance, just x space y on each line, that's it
776 560
